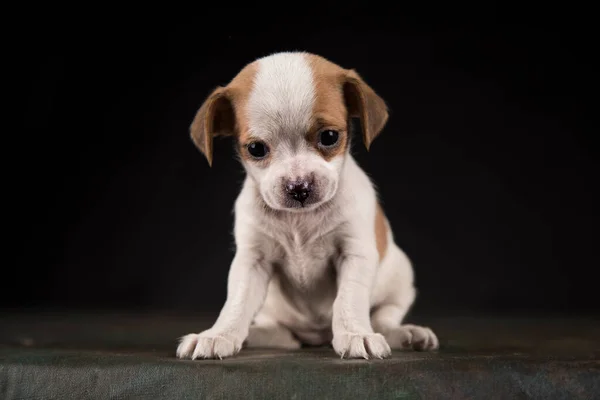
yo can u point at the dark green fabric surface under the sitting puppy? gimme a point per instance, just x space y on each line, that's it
132 356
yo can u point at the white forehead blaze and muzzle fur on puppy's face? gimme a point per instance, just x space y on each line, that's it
280 112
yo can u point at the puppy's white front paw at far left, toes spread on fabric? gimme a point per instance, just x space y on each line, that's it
207 345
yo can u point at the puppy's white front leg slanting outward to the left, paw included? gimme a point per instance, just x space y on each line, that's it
246 289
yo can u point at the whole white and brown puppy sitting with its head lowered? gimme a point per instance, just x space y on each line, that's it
315 260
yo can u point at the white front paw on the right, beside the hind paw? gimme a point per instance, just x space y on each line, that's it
360 345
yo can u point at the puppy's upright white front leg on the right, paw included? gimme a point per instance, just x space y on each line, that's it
353 336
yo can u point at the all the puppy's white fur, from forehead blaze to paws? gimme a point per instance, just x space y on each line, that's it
309 274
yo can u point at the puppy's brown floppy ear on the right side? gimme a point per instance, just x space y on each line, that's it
362 102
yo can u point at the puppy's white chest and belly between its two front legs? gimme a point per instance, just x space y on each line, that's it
303 252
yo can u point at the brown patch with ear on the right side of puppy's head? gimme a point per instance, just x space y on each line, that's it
342 94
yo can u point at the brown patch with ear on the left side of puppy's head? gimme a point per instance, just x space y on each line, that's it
223 113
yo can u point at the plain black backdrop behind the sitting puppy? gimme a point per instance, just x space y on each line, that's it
486 168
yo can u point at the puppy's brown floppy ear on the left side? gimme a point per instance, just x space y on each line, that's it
215 117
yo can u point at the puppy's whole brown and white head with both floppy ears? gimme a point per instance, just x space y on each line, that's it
290 114
